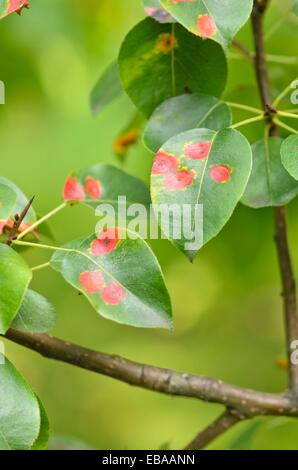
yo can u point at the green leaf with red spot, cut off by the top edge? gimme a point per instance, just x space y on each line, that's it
219 20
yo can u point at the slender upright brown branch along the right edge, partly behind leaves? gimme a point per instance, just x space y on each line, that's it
285 264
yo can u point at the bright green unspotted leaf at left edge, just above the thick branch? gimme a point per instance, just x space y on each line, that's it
15 276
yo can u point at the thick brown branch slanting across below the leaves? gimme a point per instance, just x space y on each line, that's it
246 402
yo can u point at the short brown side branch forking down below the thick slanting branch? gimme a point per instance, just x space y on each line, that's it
227 420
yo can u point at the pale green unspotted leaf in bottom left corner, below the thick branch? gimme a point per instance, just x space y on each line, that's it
19 410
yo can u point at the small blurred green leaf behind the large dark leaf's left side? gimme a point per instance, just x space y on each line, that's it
107 89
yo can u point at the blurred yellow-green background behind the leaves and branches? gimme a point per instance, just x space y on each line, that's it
227 306
